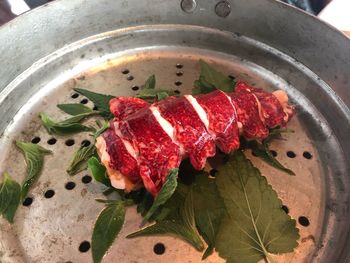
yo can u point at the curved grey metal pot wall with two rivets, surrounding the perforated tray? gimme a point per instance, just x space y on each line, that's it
308 55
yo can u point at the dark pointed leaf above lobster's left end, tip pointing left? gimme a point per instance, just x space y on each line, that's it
101 101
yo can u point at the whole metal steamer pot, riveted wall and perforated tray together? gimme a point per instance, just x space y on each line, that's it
111 47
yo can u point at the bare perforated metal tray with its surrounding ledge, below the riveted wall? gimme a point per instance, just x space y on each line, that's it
51 229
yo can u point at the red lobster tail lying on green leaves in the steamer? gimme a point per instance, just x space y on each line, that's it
145 140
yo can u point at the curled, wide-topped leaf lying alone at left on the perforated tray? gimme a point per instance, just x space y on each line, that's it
34 157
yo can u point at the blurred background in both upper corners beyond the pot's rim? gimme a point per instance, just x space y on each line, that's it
335 12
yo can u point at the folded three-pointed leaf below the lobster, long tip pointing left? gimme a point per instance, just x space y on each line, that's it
183 227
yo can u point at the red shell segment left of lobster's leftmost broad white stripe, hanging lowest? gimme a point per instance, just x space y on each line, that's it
157 152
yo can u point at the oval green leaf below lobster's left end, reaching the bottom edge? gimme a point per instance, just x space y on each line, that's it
106 229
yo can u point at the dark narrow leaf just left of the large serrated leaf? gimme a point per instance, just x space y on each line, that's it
209 210
